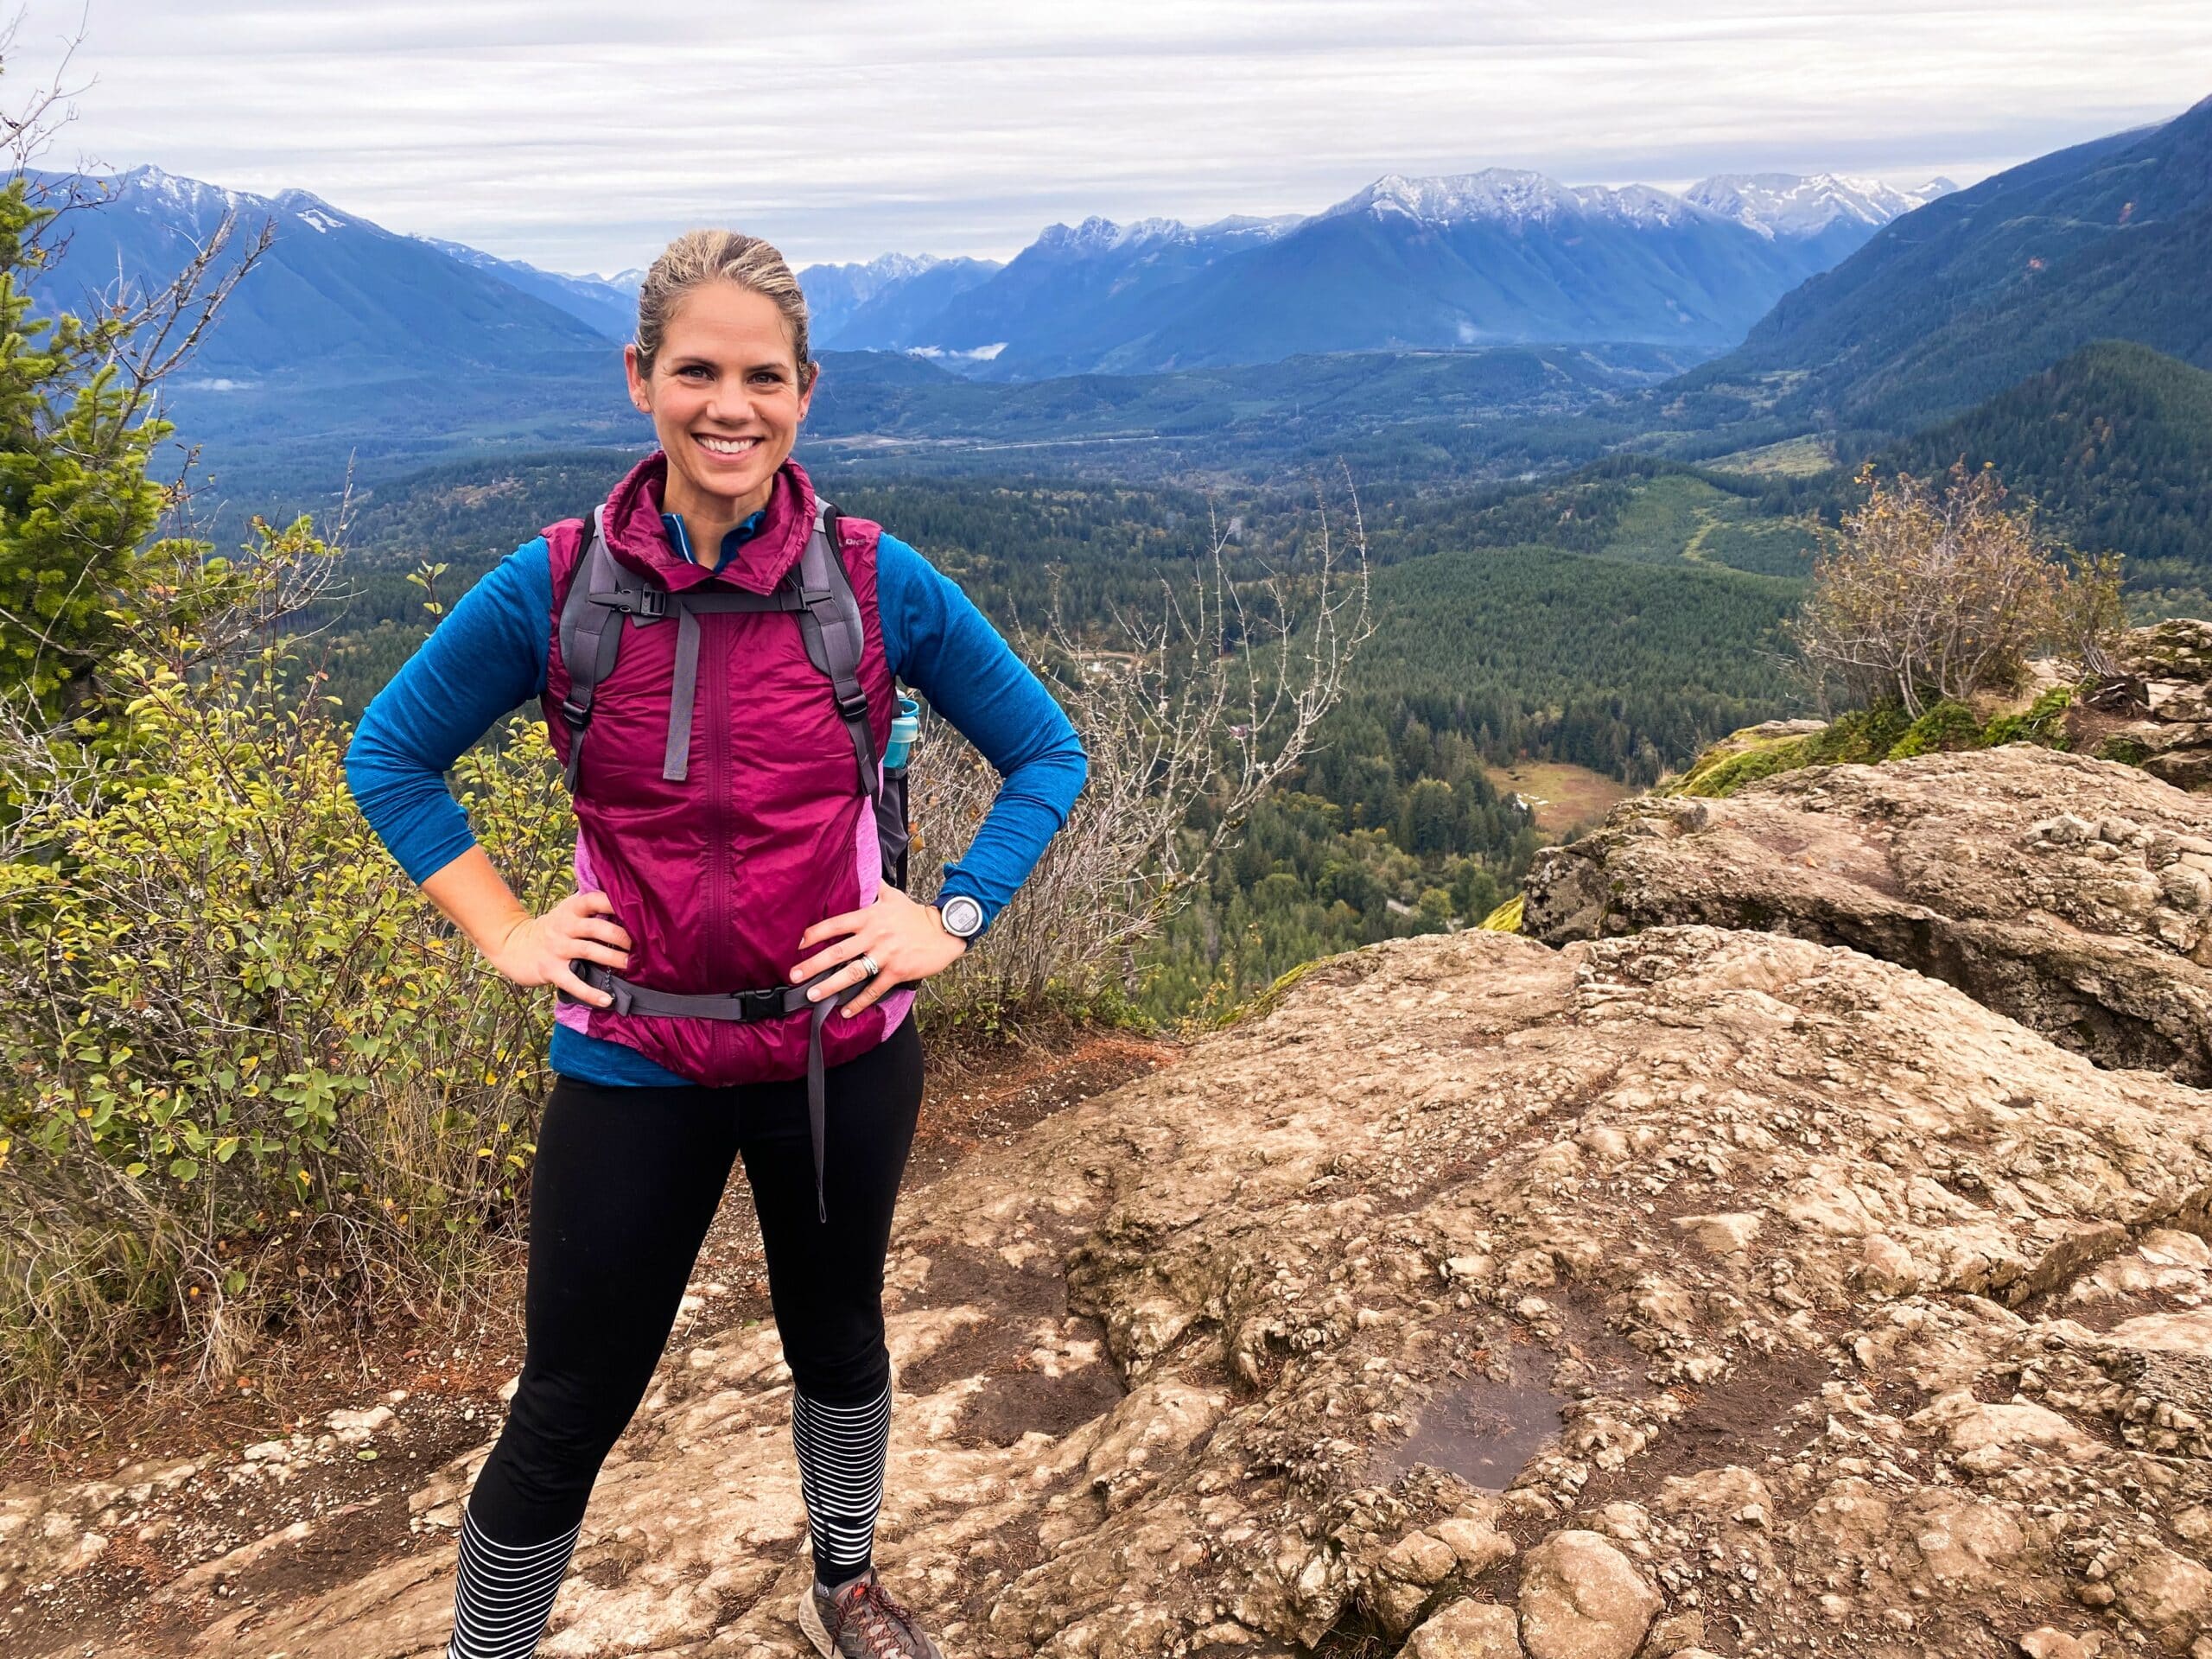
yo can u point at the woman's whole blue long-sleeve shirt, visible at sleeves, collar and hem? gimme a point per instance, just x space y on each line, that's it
490 656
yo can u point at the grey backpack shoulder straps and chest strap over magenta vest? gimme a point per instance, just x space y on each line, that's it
817 594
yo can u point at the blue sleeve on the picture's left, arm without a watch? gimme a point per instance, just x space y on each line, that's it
486 658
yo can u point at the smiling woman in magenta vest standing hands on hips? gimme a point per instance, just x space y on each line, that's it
735 968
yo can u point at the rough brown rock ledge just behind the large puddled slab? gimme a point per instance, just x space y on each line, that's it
2067 893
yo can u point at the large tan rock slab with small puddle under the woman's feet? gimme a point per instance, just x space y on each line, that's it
1667 1295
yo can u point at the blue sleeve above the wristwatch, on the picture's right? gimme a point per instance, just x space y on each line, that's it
941 645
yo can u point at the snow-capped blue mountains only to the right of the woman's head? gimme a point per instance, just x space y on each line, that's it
1492 258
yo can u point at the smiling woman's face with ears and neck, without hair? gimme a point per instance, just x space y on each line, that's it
724 397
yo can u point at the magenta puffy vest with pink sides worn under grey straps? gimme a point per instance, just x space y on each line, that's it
718 875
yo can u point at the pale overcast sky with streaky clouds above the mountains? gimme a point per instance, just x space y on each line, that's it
578 134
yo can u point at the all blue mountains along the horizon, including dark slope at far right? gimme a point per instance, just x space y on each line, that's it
353 340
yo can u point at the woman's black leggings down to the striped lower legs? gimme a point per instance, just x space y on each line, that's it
625 1189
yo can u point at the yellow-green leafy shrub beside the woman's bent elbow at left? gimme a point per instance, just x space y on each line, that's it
247 1067
